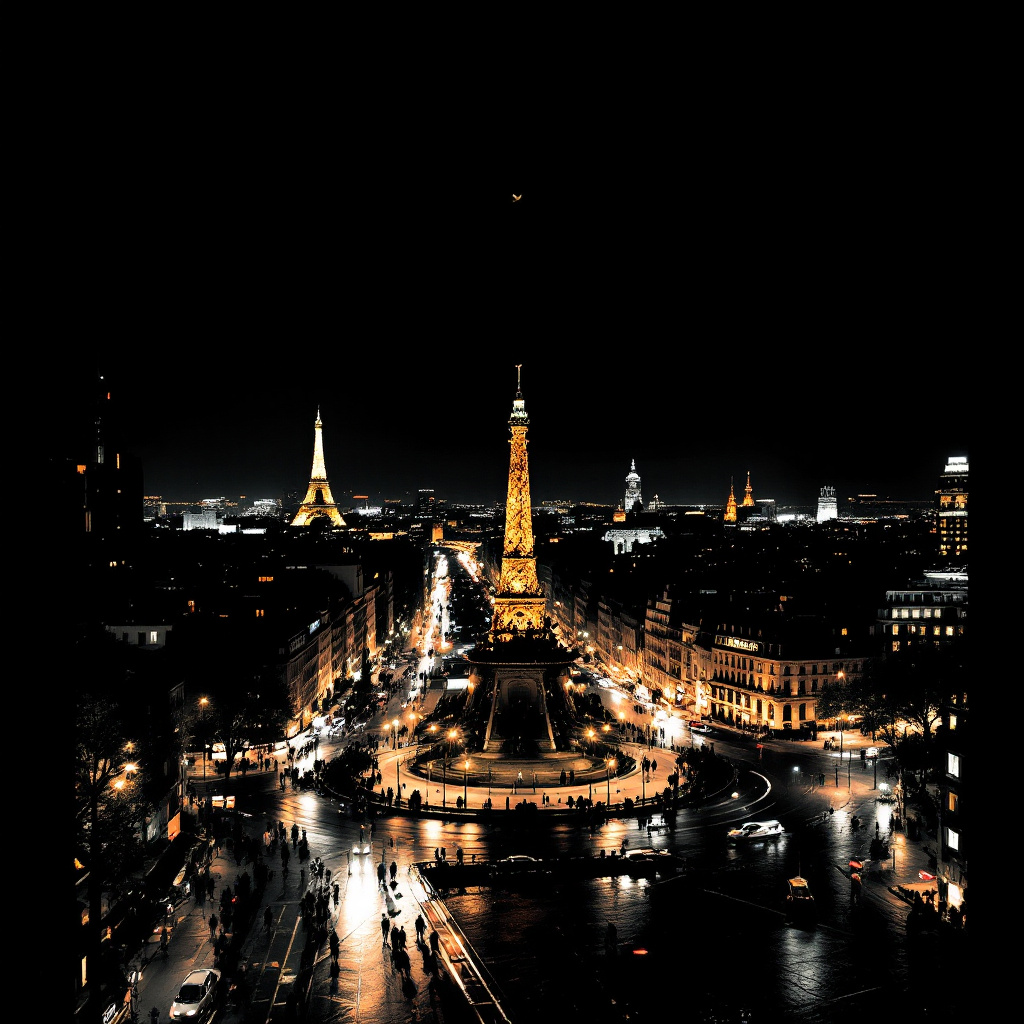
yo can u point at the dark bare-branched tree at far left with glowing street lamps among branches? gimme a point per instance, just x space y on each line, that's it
109 809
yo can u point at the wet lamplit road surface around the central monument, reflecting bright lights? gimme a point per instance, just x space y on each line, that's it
730 895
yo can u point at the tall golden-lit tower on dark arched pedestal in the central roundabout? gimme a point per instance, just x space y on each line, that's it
522 661
